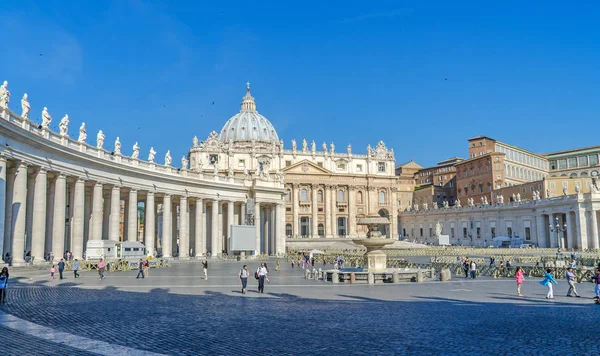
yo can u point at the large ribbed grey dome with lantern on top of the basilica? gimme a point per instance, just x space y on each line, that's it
248 124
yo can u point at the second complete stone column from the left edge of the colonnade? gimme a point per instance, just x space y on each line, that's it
38 233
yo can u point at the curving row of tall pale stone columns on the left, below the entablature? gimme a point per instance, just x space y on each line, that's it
47 212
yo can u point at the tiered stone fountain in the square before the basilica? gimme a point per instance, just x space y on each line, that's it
376 259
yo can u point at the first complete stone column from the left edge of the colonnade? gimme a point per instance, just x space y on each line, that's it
19 211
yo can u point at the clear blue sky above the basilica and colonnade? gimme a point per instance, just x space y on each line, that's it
421 76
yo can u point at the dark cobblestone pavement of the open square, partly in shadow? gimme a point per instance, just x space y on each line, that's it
177 312
